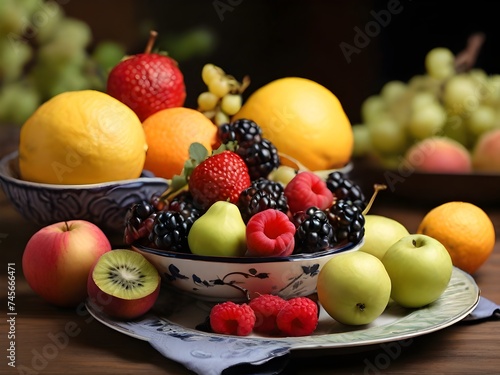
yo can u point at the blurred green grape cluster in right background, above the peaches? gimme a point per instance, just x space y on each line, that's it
445 101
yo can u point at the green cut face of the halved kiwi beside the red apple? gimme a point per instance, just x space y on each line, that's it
125 274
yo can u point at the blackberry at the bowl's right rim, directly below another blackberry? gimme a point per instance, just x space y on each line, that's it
347 220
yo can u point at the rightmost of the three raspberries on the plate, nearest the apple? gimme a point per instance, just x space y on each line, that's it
298 317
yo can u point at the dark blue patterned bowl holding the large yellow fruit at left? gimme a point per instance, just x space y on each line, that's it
104 204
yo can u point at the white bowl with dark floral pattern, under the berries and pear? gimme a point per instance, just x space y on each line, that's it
238 278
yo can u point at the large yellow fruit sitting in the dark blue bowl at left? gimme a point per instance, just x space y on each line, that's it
82 137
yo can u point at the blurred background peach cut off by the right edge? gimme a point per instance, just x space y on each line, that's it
486 152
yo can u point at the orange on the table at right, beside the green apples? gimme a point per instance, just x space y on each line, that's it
464 229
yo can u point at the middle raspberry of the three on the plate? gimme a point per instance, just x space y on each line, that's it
266 308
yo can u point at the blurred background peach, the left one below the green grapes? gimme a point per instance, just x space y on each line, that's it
439 155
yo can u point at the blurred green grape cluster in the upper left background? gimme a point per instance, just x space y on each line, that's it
43 52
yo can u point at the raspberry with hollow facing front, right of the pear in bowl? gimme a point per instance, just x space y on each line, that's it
270 233
